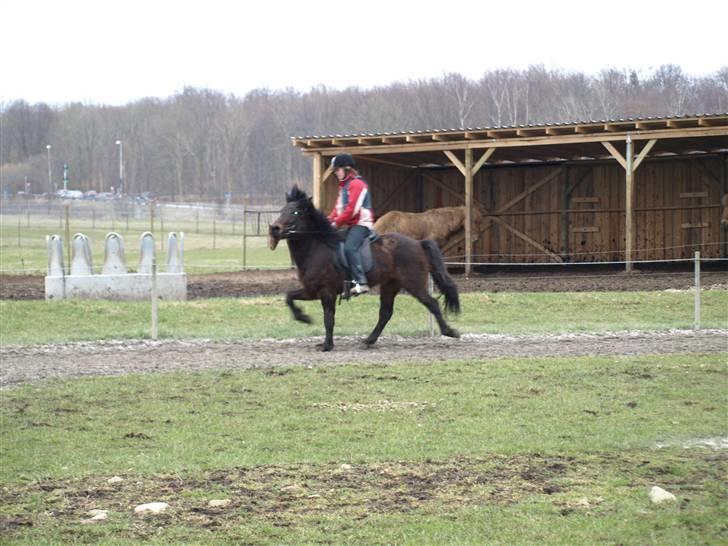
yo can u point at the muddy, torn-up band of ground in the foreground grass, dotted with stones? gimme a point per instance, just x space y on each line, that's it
292 495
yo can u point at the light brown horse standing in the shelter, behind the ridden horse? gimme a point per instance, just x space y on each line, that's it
436 224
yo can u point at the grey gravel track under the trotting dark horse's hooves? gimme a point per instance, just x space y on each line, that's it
28 364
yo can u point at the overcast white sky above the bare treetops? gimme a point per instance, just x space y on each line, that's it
101 51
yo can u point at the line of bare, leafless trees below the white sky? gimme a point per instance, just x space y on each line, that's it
203 144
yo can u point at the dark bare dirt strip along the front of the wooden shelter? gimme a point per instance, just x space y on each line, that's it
575 279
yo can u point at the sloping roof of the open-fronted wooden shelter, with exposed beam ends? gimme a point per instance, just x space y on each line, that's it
678 135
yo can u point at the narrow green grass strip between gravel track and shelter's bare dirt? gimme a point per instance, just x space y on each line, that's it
259 317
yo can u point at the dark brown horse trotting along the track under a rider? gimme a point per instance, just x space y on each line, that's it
400 263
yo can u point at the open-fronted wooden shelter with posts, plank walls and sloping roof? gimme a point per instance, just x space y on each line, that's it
612 190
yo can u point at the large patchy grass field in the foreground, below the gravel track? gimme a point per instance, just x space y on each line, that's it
504 451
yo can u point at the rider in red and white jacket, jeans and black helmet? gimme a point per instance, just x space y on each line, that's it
353 209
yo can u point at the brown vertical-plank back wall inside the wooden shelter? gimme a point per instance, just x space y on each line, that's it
677 208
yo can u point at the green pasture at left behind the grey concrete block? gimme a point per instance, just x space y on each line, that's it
202 253
